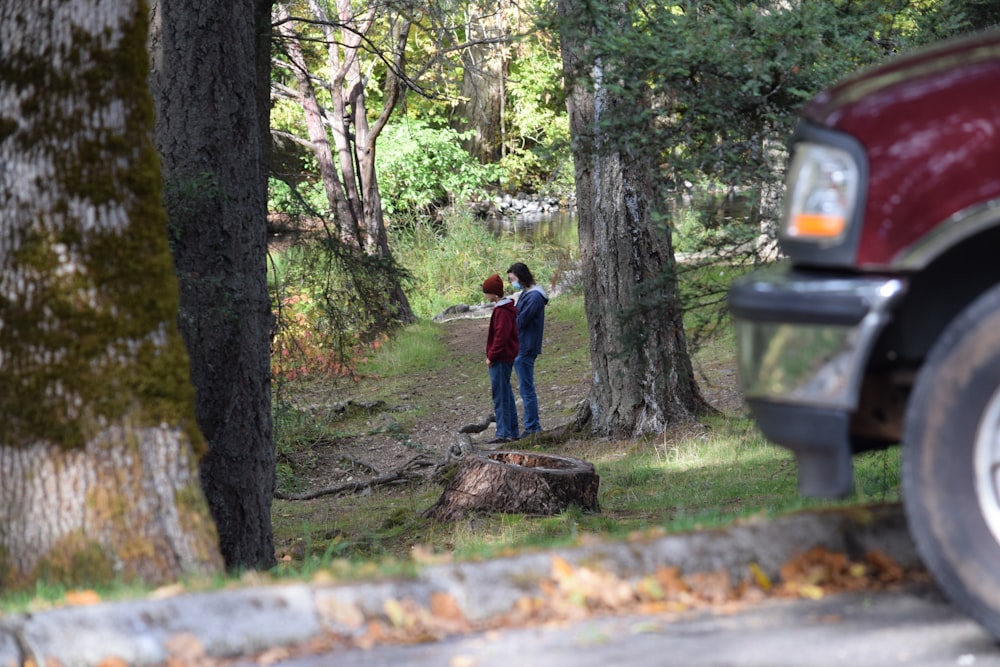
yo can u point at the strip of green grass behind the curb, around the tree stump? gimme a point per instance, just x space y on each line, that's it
701 478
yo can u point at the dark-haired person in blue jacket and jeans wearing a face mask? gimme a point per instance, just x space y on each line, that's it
530 328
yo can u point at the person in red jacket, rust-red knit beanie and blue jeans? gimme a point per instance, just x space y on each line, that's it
501 350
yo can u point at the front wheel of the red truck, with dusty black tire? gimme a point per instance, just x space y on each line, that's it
951 461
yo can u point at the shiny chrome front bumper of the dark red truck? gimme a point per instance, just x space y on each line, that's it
803 342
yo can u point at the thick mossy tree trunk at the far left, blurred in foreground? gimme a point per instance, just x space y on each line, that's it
97 425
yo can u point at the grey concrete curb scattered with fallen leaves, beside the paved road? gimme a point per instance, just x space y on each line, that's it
248 621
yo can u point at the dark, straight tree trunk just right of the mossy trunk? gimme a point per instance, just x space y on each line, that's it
210 132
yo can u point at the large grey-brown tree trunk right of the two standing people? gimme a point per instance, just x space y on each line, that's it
643 378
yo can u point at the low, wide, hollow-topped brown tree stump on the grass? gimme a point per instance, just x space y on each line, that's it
521 482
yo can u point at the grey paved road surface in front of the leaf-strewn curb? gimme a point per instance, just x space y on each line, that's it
916 627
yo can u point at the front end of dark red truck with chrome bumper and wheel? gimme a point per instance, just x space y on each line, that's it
883 326
